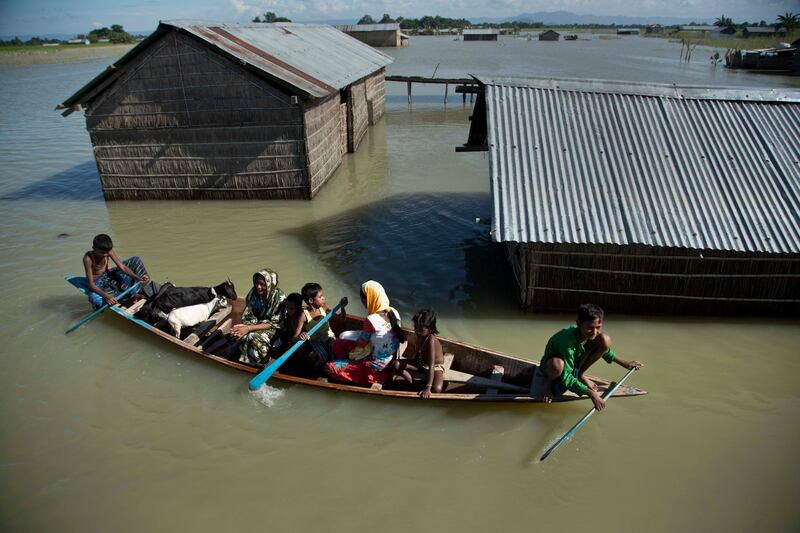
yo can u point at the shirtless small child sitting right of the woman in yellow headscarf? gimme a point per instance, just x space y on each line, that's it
429 356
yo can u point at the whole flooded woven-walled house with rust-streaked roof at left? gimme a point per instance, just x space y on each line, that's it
201 110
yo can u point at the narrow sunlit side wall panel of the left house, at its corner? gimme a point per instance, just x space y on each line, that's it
323 141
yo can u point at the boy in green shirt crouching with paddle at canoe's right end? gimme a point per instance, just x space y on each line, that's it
570 352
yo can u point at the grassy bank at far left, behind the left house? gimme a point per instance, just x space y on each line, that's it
19 56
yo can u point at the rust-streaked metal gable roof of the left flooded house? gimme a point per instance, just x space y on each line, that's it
314 59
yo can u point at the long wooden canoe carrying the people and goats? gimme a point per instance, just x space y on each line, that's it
473 373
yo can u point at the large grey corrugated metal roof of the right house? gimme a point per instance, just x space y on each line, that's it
576 161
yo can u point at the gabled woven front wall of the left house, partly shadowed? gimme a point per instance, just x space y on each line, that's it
184 122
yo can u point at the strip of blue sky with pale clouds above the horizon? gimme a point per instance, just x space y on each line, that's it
32 17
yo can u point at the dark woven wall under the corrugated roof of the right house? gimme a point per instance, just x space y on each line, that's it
655 280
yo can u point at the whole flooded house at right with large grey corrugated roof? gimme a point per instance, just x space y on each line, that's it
644 198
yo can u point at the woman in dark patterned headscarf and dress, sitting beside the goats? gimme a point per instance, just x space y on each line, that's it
262 313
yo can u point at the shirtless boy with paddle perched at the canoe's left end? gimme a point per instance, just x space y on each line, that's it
105 283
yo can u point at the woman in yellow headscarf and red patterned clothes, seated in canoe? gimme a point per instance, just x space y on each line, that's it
382 330
